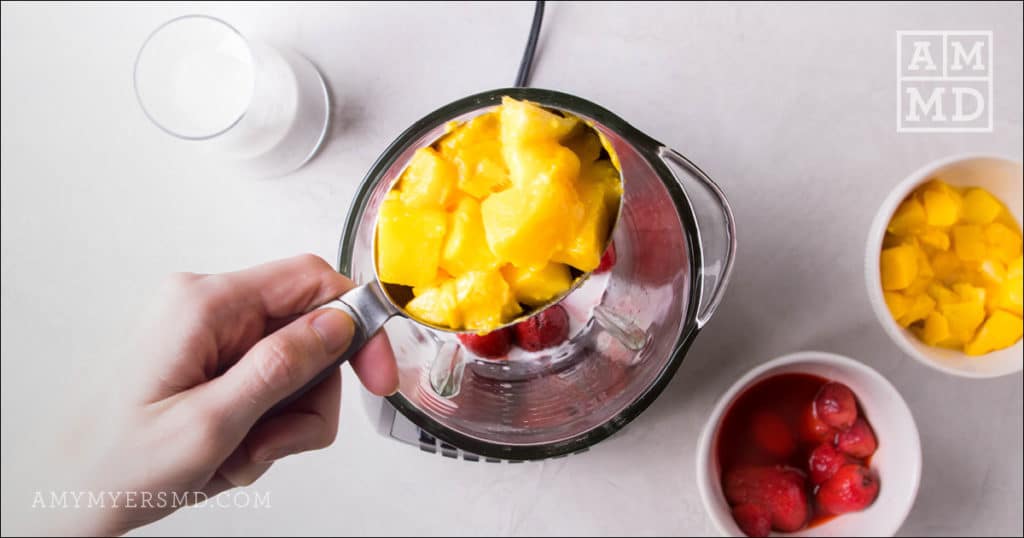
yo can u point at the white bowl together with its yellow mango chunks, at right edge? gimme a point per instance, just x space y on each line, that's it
944 266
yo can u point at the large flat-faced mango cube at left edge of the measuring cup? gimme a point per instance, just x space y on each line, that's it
409 242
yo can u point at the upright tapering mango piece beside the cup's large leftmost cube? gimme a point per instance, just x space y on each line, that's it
466 247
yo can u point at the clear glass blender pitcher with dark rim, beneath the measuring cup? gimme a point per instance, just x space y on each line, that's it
675 243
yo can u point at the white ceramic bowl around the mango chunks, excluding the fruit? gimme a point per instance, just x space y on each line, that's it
1002 178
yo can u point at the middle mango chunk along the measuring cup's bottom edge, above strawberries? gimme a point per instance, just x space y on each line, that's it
485 301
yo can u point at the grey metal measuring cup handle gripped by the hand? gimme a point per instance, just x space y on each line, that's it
369 310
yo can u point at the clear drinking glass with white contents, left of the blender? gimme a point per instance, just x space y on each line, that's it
200 79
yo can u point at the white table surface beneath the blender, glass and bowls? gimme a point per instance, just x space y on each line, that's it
790 108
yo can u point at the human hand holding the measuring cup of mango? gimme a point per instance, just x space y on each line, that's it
221 351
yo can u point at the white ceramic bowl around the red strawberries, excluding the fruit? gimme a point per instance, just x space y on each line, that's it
898 460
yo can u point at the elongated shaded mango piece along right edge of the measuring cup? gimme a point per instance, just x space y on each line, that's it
600 192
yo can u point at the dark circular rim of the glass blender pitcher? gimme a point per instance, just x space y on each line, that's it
649 147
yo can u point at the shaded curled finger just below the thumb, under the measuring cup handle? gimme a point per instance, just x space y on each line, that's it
310 424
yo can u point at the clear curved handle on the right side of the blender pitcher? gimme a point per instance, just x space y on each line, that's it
716 232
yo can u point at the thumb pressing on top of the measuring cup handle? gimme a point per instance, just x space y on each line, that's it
279 365
